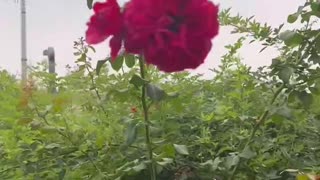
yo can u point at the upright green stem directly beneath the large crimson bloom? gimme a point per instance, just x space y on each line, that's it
147 122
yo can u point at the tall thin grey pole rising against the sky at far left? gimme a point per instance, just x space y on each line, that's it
23 42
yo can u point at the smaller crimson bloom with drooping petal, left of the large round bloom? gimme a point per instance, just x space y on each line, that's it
106 21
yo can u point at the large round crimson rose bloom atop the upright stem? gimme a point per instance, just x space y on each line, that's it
174 35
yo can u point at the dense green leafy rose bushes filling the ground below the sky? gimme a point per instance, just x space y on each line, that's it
239 124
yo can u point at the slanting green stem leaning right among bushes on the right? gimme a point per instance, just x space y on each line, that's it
259 122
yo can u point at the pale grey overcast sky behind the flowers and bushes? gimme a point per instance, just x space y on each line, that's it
60 22
